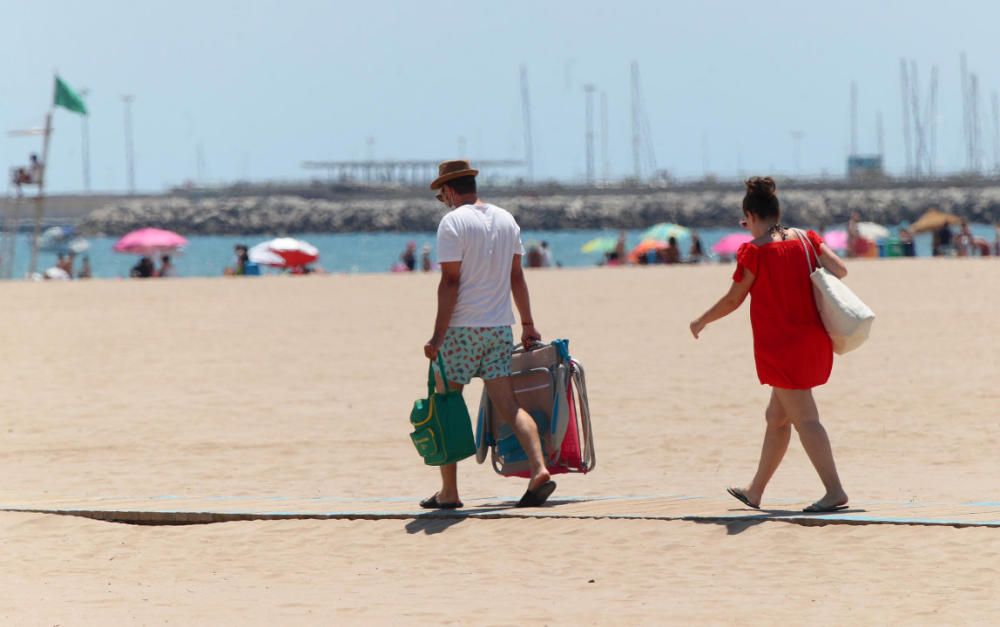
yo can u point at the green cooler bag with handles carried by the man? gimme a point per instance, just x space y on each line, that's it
442 429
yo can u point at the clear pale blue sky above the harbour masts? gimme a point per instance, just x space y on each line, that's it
256 88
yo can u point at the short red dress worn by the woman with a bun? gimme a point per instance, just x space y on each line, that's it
791 347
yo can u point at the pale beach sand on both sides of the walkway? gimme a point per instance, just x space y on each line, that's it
301 387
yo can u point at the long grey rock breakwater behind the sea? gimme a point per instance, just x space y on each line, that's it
277 214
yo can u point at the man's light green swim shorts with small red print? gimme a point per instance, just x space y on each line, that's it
477 352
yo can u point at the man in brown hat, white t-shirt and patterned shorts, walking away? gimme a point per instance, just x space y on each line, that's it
479 251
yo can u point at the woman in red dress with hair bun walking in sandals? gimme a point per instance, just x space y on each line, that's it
791 348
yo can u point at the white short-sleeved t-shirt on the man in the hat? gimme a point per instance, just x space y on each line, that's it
485 239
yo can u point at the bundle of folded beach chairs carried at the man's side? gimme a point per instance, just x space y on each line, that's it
551 386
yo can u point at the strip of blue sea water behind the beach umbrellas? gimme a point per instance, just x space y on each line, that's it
209 255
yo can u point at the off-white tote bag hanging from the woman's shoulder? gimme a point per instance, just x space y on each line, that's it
848 320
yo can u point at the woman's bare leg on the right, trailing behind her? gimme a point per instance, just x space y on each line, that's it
800 407
